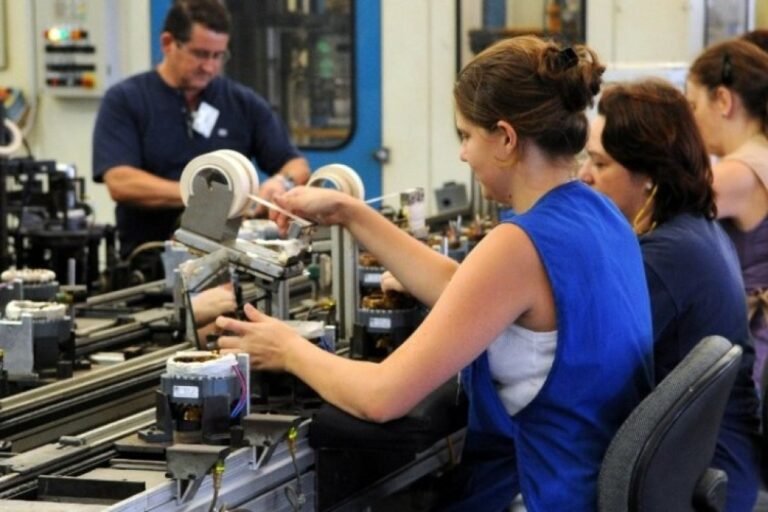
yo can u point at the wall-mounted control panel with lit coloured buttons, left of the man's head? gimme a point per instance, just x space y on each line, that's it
77 47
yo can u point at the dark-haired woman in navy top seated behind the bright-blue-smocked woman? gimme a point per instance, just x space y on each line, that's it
646 154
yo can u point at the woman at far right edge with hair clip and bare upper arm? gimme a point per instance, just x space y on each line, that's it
727 88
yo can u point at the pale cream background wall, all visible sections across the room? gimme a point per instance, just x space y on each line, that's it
419 54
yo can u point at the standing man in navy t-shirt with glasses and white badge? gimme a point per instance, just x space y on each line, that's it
151 125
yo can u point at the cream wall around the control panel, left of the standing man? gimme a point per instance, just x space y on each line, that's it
62 128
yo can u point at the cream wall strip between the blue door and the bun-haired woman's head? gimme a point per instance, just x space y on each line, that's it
418 71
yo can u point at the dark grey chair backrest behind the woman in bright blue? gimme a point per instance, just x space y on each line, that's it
665 446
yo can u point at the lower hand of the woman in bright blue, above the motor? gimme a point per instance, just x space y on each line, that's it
268 341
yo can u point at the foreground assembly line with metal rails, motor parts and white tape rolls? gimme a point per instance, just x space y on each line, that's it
152 417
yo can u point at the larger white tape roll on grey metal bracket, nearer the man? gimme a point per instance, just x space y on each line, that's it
234 168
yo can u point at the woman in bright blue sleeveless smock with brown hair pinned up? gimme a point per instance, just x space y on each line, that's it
561 284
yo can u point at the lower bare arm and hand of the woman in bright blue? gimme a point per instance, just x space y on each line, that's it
501 281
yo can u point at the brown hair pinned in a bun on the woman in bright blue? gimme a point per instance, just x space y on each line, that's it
538 87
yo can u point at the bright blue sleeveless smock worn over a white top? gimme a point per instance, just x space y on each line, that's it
603 361
